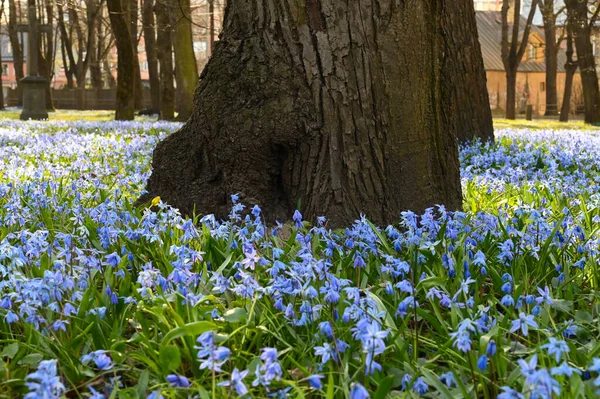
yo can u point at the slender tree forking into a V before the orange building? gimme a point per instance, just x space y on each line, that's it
512 50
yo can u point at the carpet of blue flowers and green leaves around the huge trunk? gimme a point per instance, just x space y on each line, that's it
498 300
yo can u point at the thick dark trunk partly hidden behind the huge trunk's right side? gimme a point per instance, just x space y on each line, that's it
464 88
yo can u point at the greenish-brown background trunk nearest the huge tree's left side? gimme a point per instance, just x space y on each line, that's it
186 70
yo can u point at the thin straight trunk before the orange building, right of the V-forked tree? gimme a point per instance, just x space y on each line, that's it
551 63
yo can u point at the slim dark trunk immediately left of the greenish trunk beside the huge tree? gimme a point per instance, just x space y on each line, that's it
164 52
